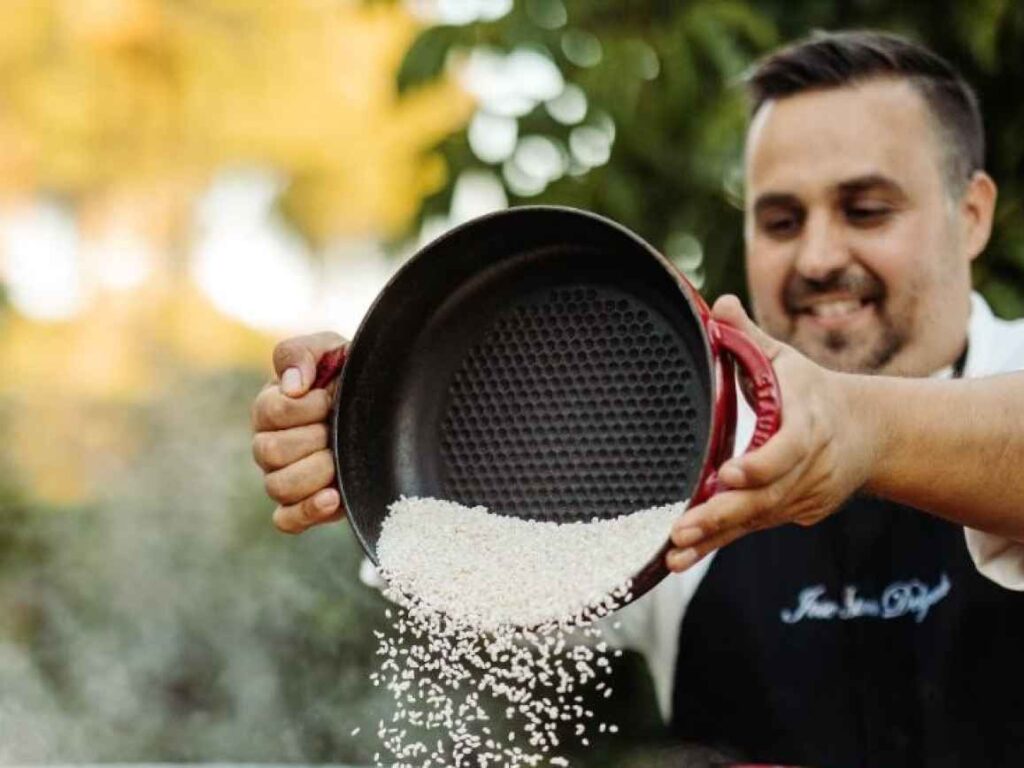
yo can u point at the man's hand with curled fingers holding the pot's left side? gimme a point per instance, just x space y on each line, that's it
290 442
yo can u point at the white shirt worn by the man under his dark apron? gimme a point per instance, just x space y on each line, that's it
651 626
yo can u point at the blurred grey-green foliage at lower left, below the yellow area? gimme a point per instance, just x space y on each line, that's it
166 621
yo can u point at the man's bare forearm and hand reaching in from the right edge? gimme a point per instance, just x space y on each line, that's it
952 448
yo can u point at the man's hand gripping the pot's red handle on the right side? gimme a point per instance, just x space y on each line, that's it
823 454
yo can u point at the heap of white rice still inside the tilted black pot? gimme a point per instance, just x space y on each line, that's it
489 571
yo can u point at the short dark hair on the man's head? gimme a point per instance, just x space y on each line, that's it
836 60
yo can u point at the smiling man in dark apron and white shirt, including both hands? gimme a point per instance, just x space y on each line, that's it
869 637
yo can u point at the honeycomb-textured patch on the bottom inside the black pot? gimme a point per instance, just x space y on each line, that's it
579 402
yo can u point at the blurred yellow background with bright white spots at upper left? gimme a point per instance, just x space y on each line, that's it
183 182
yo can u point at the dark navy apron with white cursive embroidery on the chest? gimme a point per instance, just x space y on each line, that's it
867 641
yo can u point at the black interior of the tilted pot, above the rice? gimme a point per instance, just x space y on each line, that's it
544 366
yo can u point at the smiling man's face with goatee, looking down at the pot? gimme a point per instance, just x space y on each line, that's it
855 250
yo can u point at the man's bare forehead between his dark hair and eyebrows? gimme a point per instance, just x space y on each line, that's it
810 143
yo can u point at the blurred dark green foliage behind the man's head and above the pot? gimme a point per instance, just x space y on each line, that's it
674 176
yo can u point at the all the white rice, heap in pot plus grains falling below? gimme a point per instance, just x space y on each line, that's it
500 611
